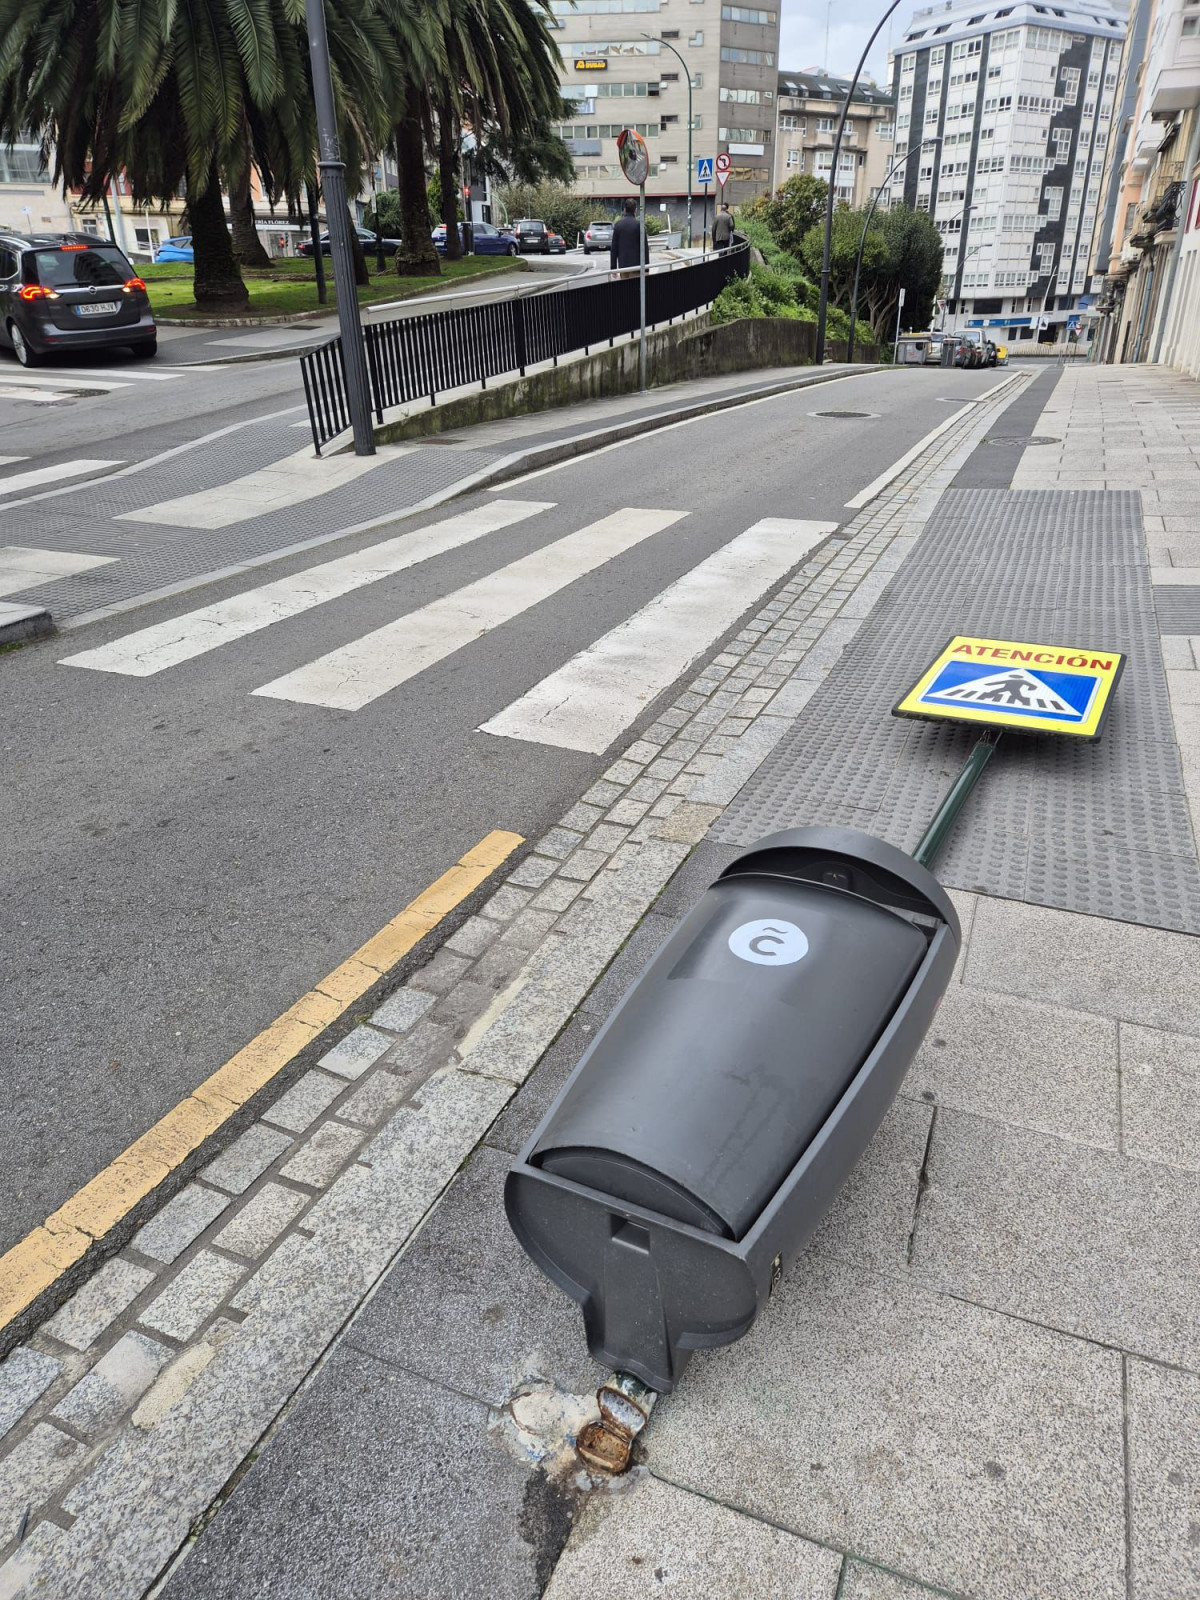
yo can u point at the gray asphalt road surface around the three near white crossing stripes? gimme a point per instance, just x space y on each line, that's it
183 858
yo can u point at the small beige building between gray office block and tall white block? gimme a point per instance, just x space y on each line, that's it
809 106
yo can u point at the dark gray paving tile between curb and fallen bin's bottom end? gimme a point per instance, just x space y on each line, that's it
466 1306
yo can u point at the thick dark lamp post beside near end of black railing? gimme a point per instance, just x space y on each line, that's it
338 217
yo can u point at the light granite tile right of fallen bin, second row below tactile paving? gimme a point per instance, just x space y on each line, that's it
1034 1066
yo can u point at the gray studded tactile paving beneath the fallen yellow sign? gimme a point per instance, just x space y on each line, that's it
1092 828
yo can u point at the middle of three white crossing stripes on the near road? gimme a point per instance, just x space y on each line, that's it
367 668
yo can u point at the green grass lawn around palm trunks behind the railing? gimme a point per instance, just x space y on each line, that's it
292 287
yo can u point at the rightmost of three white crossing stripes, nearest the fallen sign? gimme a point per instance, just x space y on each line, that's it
599 694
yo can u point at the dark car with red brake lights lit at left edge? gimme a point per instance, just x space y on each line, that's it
68 292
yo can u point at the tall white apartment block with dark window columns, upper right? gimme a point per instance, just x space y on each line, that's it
1022 100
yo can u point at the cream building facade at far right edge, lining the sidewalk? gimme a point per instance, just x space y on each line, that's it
1148 250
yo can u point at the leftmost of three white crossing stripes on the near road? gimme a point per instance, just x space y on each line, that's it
167 644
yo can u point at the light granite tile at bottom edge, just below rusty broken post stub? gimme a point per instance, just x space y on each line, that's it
655 1538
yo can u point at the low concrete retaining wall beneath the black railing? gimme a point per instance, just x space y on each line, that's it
694 350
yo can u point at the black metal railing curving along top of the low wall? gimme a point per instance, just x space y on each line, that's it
422 358
